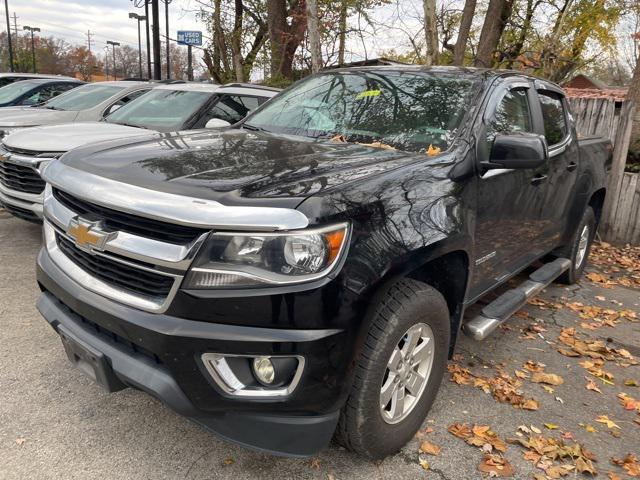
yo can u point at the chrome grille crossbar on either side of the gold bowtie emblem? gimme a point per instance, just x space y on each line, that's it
148 250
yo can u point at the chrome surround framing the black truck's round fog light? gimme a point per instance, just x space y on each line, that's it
217 366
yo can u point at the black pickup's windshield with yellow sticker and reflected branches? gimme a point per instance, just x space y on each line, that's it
404 110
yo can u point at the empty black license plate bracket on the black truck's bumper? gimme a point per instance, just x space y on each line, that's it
90 361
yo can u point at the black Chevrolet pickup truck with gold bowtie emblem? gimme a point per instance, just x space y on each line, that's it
304 274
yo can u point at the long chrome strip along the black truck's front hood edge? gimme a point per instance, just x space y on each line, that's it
168 207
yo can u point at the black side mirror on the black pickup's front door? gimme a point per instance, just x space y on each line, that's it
517 151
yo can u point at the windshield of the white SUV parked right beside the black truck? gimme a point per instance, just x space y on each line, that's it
160 109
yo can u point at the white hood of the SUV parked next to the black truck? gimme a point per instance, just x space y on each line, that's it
64 137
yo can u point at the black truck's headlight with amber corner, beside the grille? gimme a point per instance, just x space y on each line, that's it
233 260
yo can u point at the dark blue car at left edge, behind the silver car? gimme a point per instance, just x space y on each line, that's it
34 92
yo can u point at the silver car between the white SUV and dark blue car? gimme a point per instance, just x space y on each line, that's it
90 102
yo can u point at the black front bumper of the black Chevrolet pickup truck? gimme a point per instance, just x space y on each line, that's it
160 354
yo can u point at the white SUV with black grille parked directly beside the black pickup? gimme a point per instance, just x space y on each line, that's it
166 108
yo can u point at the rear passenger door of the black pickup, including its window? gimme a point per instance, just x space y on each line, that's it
563 163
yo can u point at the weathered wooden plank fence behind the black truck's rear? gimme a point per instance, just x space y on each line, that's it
620 222
